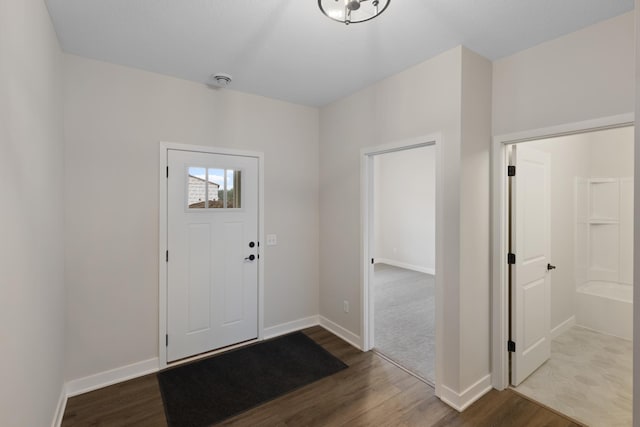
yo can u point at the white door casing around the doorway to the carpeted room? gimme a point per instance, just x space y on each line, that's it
366 208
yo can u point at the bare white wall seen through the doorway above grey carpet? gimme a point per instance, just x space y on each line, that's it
405 209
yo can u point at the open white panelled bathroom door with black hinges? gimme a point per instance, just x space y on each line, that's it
530 280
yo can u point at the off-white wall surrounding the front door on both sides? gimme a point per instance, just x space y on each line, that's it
115 118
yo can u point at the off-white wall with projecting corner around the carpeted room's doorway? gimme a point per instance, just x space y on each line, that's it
422 100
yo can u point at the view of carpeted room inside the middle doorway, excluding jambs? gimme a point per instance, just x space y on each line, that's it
404 259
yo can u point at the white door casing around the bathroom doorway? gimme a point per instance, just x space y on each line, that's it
499 226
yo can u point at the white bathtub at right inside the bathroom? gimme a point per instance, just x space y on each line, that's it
606 307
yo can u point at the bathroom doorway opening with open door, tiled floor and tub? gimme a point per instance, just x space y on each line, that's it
571 285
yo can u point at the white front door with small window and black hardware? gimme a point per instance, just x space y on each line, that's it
212 268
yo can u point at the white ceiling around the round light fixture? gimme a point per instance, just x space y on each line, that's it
287 49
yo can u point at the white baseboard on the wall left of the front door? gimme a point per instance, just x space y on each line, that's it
113 376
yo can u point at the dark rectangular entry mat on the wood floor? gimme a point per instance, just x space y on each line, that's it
208 391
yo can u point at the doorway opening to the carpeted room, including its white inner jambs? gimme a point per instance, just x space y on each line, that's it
400 213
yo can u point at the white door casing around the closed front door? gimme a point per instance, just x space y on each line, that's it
163 236
